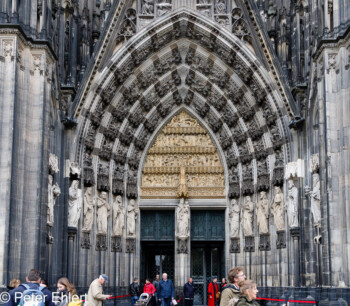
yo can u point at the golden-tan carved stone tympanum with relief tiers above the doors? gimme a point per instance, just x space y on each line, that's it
183 144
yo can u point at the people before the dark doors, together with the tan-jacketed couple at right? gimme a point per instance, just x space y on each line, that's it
236 292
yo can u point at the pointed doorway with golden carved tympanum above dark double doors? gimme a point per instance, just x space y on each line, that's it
183 162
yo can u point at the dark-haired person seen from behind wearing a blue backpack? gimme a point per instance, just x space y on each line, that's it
25 292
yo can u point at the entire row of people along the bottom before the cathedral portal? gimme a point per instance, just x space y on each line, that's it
236 292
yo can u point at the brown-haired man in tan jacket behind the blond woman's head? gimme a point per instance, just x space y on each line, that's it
231 290
